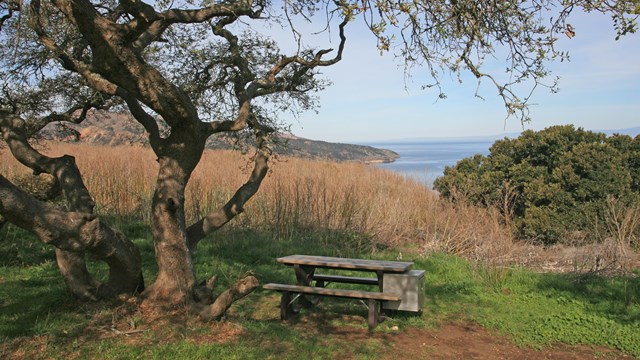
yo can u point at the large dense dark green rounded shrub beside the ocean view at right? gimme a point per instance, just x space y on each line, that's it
557 183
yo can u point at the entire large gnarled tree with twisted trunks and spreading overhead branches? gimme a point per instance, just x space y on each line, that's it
187 70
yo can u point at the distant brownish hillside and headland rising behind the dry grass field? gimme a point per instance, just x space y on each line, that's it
119 129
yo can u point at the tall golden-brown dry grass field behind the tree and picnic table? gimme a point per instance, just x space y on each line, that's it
380 208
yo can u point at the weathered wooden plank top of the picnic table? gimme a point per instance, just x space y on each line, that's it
345 263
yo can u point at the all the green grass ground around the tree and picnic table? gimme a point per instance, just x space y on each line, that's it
38 317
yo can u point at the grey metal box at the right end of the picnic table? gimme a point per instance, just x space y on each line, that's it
410 285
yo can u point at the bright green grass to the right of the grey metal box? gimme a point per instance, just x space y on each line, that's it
540 309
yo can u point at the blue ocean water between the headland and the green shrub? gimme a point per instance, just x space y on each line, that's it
425 160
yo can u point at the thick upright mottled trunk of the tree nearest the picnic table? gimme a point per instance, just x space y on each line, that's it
176 281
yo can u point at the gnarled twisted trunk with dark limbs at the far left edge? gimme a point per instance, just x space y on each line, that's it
71 232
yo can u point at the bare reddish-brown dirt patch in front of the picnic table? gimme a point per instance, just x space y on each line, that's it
454 340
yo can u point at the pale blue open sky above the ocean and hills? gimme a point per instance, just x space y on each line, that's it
371 100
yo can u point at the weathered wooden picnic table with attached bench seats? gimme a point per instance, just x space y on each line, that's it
305 267
